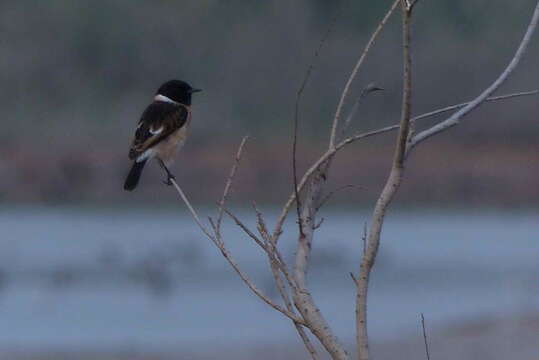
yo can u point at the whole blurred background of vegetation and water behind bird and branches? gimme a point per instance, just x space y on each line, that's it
90 271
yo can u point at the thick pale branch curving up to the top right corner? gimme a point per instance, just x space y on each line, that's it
456 117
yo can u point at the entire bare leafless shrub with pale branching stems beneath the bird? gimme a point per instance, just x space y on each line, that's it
298 304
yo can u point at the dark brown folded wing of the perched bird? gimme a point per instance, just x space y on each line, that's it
158 121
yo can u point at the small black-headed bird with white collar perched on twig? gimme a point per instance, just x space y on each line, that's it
161 130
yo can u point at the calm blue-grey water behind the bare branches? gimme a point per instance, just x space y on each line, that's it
148 279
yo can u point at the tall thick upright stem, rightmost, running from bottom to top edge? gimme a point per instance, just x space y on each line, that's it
387 194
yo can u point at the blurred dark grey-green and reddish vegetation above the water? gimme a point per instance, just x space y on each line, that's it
77 74
